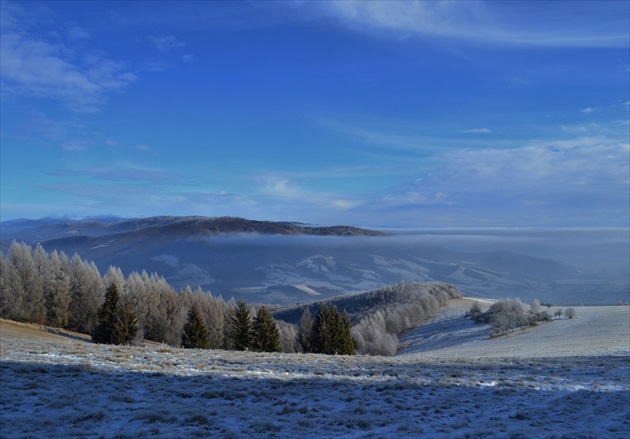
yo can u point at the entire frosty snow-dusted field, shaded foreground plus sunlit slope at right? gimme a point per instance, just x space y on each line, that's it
61 385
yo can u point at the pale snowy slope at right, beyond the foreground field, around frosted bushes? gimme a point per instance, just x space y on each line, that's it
595 331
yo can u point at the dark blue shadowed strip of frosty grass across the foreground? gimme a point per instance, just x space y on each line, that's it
529 399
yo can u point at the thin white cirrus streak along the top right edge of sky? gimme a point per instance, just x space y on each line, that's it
560 24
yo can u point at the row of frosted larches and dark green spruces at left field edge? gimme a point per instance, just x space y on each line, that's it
51 289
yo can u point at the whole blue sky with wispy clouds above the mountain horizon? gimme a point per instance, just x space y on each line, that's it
413 114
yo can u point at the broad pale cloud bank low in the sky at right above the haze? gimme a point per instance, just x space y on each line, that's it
582 180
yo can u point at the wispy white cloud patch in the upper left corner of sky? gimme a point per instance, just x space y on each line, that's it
36 62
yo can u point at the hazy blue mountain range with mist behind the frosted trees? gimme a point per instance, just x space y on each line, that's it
285 262
